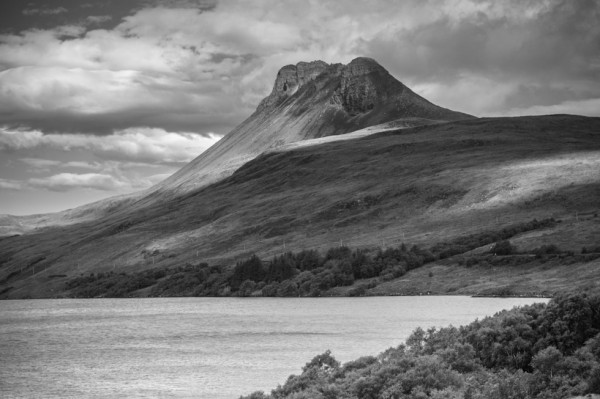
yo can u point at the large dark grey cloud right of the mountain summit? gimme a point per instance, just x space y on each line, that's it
561 41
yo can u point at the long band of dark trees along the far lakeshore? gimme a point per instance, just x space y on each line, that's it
311 273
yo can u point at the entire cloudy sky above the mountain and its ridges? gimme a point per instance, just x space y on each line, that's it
106 97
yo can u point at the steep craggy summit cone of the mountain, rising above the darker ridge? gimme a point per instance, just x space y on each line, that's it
309 100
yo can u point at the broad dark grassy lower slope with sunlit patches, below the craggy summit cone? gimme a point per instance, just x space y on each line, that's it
422 185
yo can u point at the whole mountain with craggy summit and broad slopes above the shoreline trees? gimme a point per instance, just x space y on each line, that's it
339 155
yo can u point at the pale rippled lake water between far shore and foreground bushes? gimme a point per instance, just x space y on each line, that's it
202 347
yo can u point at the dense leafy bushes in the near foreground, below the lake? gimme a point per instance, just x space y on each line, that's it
539 351
